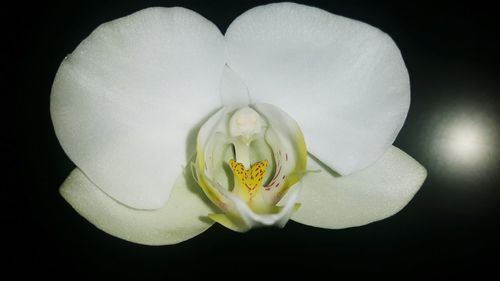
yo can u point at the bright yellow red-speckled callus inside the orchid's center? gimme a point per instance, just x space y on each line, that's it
249 180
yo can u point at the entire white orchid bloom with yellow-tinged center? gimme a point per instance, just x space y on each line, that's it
131 99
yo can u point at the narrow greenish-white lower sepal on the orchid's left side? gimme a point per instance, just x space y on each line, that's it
180 219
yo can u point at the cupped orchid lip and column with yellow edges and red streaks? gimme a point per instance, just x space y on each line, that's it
248 163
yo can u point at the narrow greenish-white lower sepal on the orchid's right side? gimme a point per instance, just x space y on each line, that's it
372 194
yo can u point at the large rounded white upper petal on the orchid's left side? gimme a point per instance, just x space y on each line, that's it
125 100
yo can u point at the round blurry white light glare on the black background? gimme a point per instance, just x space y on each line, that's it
463 145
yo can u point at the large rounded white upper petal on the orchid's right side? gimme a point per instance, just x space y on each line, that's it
343 81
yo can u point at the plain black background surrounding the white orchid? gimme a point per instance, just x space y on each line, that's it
449 230
